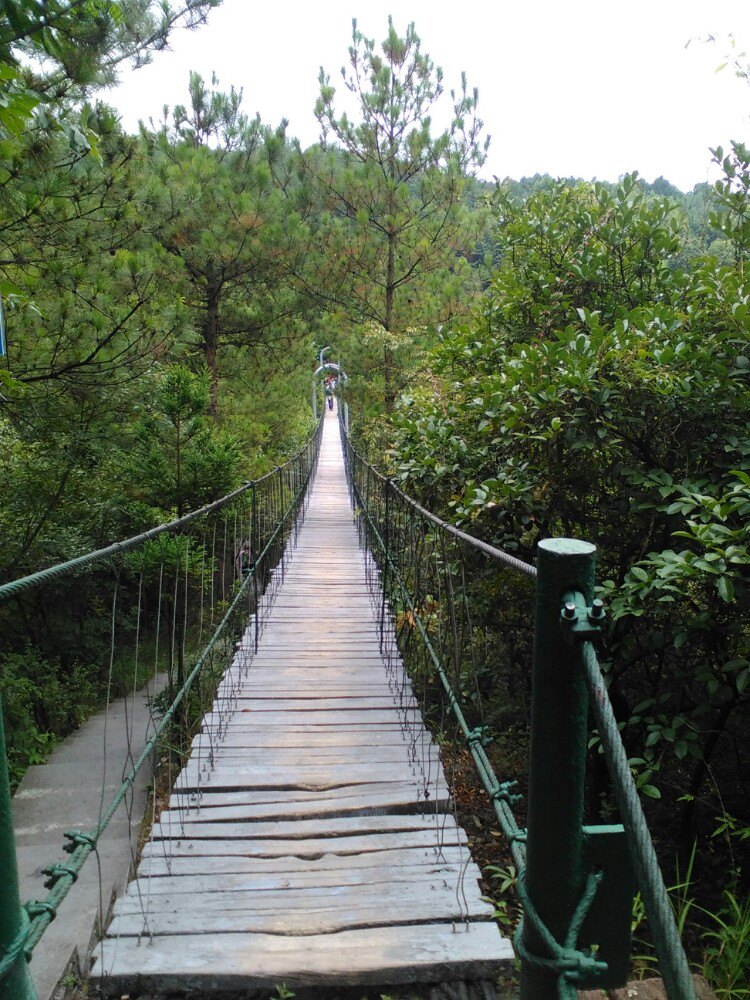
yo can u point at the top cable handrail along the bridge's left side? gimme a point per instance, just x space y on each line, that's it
15 587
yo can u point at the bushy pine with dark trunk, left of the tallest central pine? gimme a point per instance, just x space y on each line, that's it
222 202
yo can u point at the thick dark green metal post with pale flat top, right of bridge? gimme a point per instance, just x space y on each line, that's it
559 708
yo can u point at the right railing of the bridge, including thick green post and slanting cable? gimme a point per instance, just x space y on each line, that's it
437 587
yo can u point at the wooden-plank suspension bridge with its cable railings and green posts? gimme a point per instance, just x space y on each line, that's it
308 839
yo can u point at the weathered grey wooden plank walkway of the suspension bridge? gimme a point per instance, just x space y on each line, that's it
308 854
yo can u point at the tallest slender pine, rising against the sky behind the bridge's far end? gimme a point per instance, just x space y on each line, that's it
394 231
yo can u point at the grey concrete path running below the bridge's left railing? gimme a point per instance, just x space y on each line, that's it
67 793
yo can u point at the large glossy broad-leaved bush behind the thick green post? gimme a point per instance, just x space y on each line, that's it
601 392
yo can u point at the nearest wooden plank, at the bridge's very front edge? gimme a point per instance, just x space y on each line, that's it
386 956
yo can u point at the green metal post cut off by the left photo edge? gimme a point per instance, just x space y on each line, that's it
16 983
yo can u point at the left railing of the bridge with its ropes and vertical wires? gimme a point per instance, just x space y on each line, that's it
169 603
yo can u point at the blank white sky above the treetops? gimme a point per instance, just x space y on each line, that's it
589 88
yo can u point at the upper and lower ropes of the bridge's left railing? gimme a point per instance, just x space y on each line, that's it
36 915
